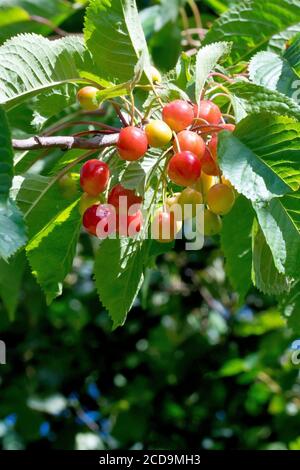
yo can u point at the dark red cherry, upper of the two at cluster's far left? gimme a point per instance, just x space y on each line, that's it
94 177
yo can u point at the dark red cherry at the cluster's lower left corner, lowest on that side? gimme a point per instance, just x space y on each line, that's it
99 214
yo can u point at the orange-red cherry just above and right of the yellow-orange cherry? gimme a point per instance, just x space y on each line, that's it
178 115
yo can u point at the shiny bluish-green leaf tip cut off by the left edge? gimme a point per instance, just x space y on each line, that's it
12 230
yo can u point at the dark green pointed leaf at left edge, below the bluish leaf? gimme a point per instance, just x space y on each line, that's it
10 281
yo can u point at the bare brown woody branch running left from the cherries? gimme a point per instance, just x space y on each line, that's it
66 142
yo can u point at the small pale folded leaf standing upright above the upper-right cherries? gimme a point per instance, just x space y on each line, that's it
206 60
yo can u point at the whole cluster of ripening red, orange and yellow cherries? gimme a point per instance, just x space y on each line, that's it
193 165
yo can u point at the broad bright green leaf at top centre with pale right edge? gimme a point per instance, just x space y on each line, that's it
114 36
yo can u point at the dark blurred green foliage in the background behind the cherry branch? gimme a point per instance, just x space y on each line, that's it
191 368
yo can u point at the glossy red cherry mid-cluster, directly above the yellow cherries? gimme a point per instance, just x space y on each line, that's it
184 168
